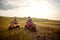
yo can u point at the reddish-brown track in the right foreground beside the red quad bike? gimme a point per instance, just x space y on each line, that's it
43 34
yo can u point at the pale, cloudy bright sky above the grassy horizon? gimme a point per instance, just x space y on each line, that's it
49 9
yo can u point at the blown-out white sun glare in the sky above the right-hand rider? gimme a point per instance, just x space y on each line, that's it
37 9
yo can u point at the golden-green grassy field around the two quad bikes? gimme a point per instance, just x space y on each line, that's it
46 29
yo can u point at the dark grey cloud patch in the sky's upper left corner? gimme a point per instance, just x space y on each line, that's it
5 5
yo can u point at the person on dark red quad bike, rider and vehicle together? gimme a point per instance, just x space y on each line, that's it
30 25
